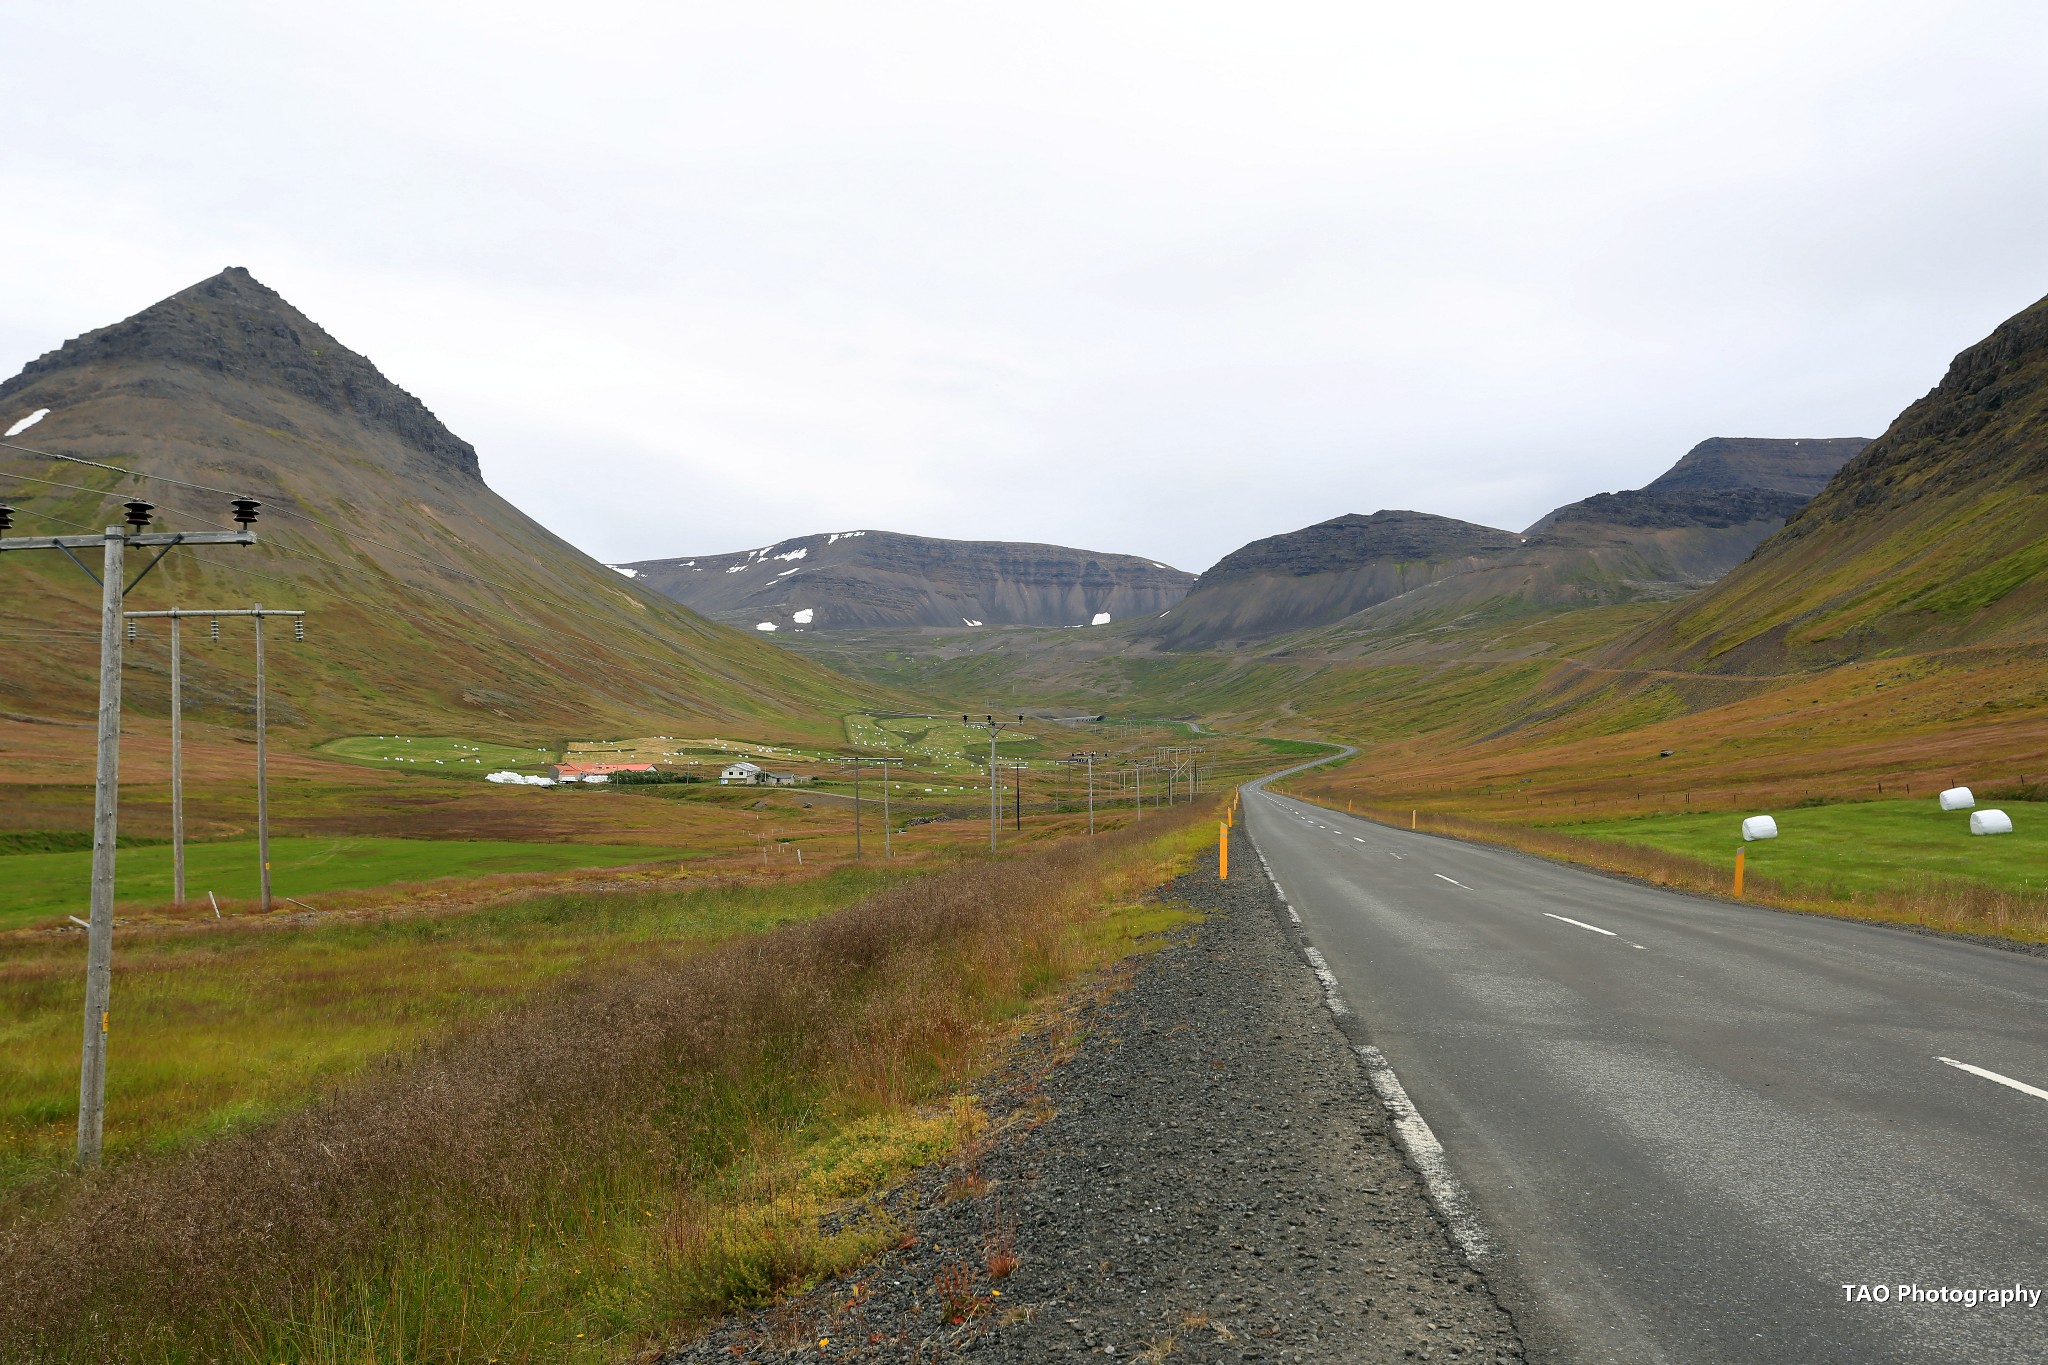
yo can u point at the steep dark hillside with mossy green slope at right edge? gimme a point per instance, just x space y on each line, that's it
1934 537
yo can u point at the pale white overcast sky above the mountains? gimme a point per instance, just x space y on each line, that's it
1136 277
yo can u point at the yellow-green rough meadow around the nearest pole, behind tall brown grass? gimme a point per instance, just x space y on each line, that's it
226 1026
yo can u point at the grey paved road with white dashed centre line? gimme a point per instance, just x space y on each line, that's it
1689 1125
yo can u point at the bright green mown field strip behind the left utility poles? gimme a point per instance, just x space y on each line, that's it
38 887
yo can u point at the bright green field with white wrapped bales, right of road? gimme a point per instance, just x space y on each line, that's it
1869 846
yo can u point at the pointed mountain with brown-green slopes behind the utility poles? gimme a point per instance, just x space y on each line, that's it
433 601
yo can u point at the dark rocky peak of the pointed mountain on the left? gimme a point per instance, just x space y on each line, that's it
237 328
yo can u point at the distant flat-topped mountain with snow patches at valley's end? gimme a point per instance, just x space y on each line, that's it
880 578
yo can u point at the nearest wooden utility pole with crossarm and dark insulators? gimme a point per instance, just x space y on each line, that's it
108 770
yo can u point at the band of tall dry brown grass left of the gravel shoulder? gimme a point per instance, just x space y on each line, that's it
632 1086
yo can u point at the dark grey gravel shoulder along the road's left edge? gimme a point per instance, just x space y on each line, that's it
1189 1163
